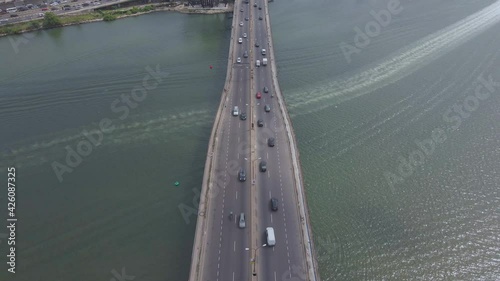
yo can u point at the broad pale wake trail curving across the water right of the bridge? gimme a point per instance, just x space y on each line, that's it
407 61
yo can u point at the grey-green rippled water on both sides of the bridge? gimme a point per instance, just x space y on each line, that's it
356 121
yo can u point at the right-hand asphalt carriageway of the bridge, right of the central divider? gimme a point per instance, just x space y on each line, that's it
286 260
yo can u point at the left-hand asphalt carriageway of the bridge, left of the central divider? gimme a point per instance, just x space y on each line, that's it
226 257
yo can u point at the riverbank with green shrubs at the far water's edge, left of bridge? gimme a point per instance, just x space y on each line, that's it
109 15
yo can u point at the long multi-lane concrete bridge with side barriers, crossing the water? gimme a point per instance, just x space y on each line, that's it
223 249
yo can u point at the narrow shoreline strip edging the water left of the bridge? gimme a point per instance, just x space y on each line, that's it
157 8
